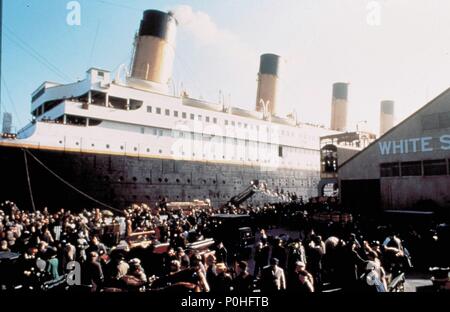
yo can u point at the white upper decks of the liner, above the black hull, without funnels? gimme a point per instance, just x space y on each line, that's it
101 115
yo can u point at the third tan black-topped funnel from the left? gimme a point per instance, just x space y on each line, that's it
339 106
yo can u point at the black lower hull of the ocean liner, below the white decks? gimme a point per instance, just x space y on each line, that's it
60 179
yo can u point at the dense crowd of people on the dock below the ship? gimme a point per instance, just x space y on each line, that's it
49 244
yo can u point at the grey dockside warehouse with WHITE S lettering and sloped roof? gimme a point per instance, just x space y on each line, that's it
407 168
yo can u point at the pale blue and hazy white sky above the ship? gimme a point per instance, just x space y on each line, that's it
386 49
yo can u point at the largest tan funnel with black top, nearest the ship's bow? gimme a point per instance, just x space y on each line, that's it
154 50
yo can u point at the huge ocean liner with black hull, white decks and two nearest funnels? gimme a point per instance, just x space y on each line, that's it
123 138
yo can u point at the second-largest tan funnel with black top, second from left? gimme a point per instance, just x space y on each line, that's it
266 97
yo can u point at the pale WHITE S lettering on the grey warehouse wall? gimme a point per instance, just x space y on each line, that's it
414 145
